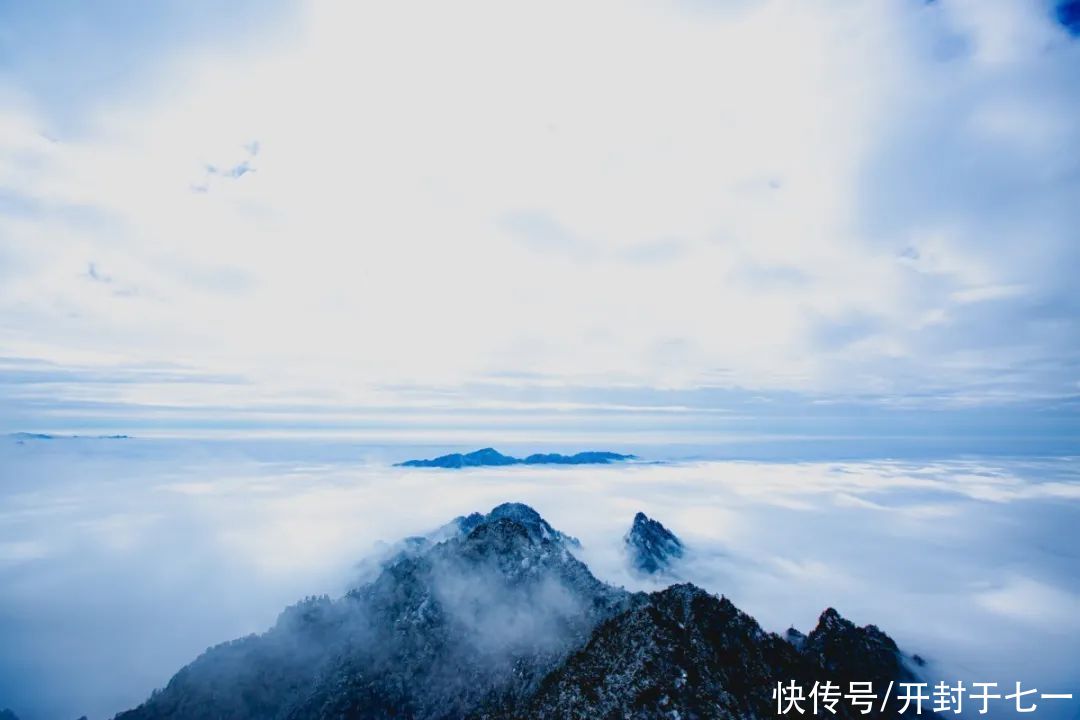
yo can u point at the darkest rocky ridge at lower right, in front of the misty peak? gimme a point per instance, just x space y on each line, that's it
685 654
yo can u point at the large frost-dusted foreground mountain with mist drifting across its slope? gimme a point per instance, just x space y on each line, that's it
493 618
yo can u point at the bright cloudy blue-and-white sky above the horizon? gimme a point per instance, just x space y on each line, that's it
704 216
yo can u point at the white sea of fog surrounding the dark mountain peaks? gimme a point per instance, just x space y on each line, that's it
124 560
